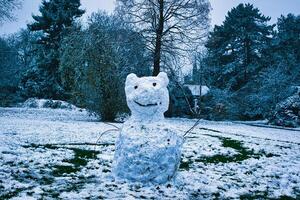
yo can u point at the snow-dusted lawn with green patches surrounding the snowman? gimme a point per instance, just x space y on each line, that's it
39 160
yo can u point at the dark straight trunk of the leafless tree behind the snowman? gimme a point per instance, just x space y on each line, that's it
159 31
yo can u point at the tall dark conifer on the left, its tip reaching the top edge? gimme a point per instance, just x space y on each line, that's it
57 16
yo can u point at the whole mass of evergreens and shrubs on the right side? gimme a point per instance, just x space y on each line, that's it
253 65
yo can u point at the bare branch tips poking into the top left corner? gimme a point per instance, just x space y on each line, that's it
7 7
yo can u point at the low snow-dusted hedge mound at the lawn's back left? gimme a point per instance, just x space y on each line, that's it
48 103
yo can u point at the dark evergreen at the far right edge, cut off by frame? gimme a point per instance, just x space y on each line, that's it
277 81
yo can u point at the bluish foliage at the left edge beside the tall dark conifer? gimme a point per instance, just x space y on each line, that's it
16 57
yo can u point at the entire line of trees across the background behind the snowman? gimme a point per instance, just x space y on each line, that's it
249 64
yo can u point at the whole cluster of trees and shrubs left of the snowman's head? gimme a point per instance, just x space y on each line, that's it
57 58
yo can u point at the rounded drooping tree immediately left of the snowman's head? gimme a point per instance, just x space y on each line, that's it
103 55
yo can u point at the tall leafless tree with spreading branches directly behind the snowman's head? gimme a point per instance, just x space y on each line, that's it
170 27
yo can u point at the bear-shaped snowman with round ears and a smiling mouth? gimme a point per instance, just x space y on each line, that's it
147 150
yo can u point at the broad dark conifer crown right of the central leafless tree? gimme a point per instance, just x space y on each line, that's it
236 47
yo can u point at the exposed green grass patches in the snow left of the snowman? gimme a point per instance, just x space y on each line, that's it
72 165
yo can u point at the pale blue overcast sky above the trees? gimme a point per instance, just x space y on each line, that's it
272 8
